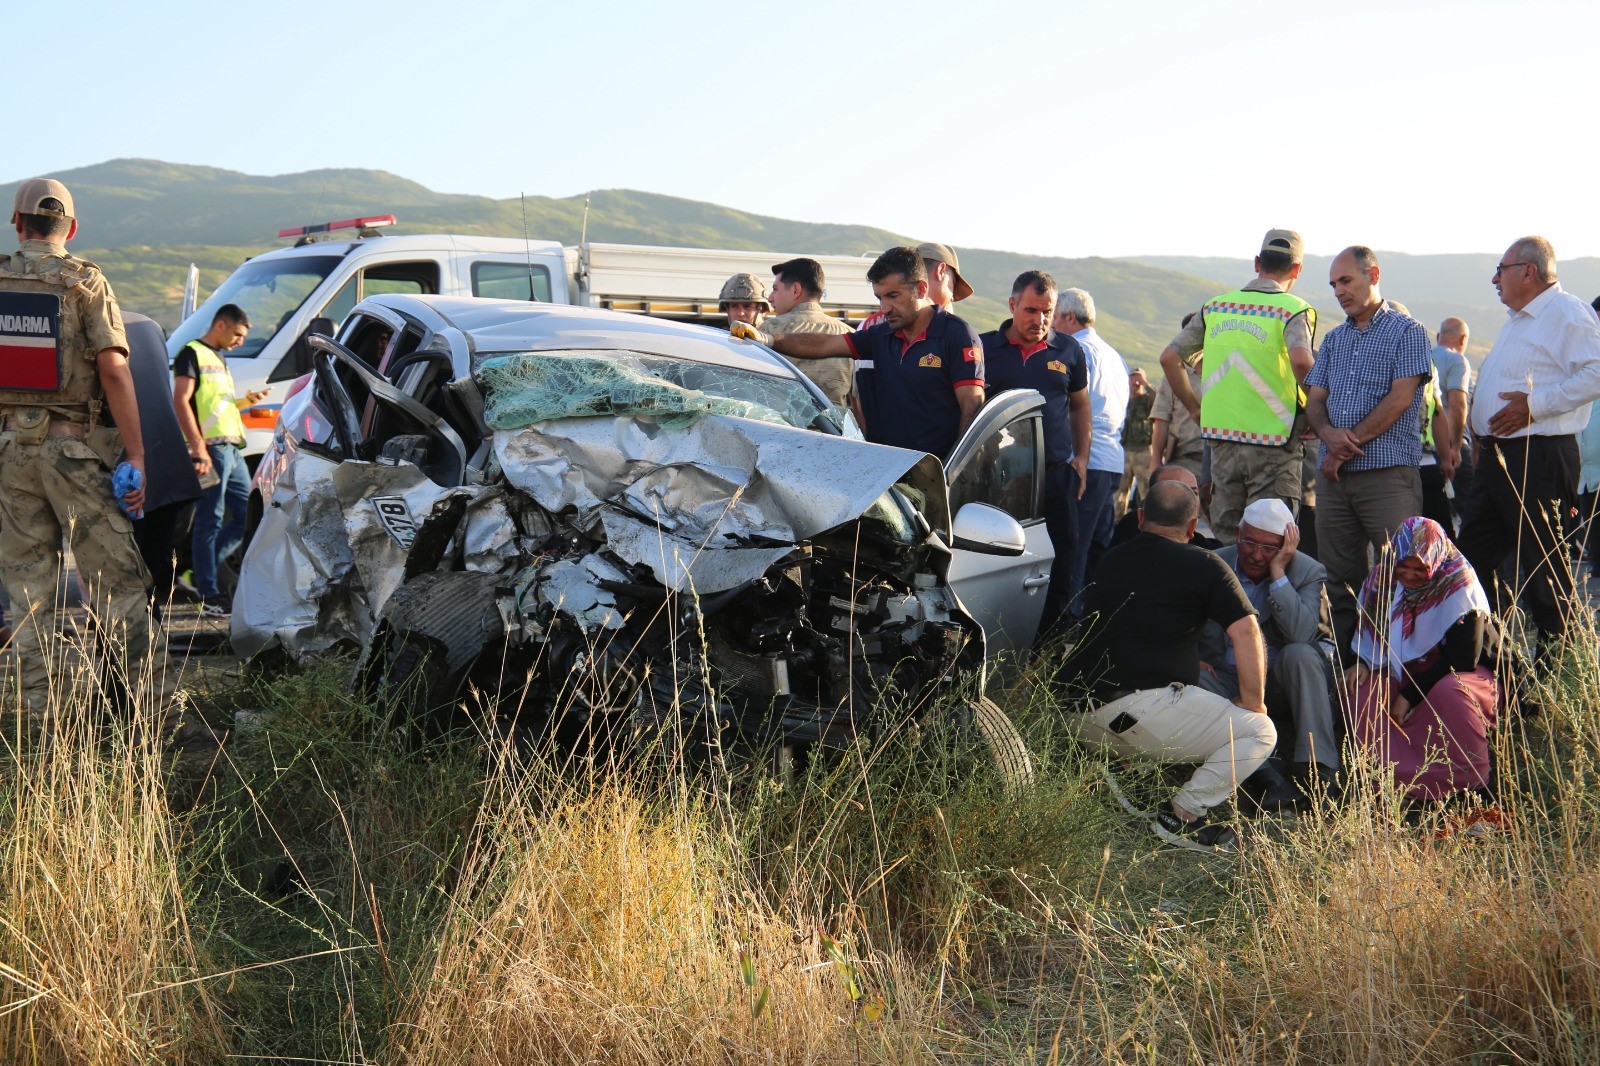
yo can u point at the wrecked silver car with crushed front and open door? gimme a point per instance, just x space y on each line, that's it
602 518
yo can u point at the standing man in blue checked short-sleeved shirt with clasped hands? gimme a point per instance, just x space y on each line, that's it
1364 399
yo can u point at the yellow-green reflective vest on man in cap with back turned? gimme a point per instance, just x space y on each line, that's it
1247 387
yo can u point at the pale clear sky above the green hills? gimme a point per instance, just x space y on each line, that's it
1055 129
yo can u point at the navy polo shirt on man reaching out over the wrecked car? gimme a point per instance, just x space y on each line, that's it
916 379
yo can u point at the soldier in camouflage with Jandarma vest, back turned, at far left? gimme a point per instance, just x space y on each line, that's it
63 364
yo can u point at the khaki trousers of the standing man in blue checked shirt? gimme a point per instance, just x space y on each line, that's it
1356 513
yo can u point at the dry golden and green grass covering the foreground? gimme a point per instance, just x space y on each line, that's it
316 892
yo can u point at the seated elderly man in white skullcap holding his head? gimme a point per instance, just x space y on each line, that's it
1289 591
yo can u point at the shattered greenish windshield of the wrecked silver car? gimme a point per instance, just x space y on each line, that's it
526 388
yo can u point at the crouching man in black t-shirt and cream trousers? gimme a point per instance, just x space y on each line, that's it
1140 662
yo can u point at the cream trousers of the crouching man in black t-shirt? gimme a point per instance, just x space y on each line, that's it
1186 724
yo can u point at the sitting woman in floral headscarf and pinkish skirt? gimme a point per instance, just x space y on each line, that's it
1422 694
